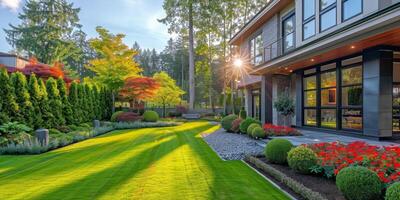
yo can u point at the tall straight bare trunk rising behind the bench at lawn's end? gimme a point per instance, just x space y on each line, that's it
191 59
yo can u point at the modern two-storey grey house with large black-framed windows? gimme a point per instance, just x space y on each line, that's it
339 60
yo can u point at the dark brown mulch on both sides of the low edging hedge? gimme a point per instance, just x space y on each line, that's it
326 187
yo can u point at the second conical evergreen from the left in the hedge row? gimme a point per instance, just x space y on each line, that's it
22 97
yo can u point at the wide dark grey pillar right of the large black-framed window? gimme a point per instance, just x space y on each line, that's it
378 91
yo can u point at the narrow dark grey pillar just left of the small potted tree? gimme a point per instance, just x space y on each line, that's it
266 98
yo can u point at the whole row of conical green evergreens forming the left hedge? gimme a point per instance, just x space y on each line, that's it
48 104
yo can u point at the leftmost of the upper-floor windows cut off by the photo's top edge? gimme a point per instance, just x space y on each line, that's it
308 18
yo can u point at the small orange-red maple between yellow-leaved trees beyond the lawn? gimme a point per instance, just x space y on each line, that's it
137 89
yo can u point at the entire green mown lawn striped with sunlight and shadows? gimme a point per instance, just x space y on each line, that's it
156 163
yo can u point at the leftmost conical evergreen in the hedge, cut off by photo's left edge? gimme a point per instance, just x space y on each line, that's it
8 105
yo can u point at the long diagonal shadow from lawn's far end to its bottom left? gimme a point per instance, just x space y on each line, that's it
134 164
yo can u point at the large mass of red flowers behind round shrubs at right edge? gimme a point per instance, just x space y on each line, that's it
385 161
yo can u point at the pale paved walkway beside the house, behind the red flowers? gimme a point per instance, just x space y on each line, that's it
311 137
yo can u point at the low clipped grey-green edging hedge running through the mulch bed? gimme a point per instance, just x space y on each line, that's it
294 185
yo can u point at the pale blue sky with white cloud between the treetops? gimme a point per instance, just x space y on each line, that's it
137 19
